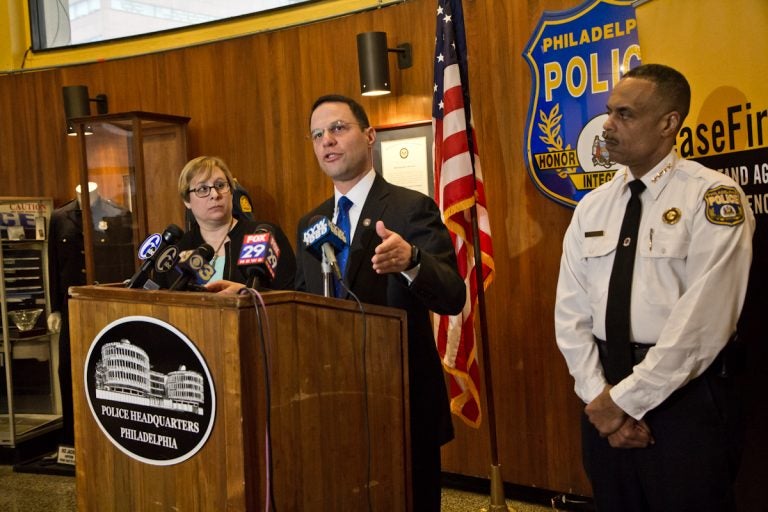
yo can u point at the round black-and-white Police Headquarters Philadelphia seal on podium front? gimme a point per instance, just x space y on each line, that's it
149 390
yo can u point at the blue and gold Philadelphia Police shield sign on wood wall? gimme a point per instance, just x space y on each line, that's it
576 57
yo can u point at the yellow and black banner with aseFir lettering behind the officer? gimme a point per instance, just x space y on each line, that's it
720 46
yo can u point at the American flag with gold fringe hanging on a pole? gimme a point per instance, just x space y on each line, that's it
459 187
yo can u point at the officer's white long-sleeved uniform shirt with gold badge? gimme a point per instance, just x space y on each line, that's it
688 285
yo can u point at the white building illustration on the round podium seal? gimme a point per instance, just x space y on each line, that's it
124 374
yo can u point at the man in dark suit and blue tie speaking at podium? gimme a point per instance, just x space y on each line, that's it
401 256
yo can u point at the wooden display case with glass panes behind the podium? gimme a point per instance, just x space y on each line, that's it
130 164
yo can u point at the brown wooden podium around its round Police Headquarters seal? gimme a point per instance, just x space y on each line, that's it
330 448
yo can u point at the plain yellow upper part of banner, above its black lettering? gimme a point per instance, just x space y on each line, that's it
719 46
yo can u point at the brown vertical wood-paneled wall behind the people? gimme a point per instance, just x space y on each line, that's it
248 100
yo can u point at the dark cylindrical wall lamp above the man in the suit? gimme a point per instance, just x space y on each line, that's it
373 63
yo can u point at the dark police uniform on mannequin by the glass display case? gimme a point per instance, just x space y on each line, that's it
113 254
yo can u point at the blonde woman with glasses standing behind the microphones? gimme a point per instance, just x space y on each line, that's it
205 186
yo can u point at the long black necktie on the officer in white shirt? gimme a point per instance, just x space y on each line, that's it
618 363
